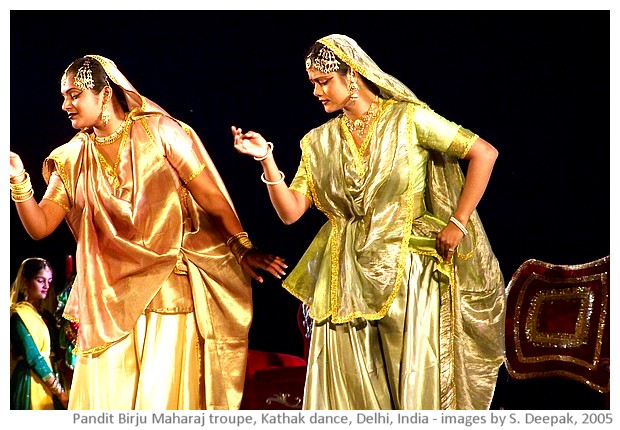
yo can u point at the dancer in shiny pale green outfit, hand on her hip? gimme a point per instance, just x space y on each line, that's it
405 292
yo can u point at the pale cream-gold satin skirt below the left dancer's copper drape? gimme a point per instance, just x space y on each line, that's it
138 382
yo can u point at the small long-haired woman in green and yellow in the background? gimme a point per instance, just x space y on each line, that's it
34 384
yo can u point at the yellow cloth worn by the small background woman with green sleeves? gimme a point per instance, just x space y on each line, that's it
40 395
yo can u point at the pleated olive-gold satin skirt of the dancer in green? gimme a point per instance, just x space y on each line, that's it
354 364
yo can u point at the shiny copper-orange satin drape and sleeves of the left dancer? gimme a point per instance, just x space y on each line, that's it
135 224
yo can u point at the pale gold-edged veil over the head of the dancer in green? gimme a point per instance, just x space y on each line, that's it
350 52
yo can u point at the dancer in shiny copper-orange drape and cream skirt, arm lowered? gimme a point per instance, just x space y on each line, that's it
162 292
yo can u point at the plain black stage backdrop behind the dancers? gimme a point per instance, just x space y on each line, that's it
536 84
